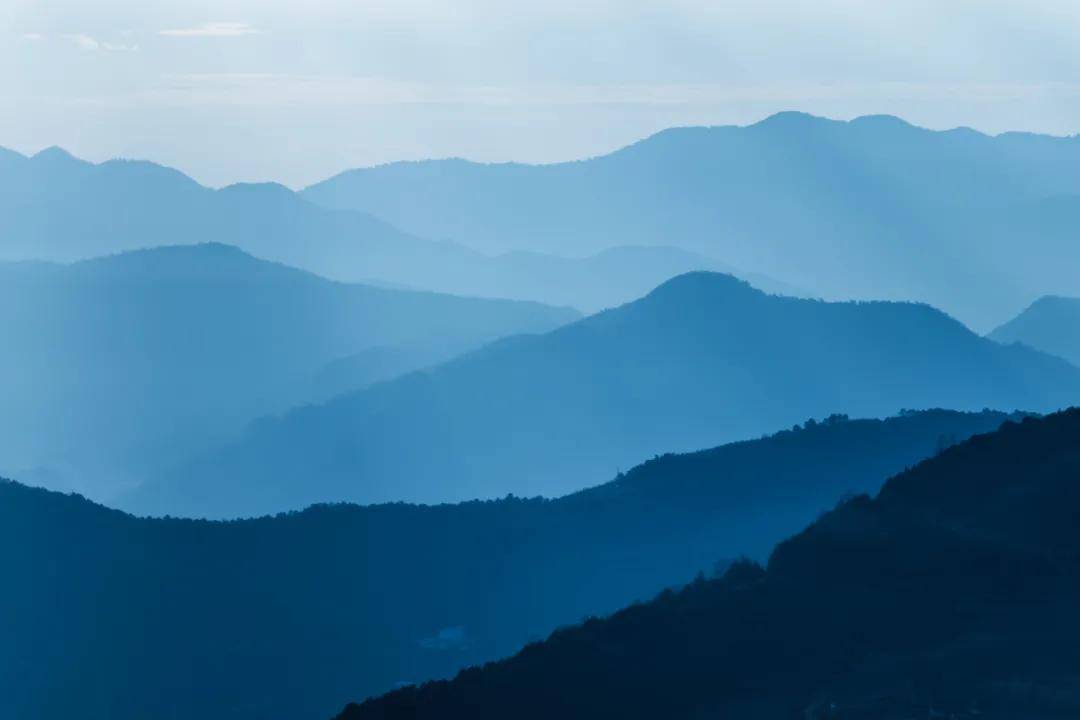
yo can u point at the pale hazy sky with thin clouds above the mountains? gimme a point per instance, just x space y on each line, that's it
294 92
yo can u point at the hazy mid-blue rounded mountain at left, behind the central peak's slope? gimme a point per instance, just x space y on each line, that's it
115 366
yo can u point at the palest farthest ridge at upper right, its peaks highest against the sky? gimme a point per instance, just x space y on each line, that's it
842 209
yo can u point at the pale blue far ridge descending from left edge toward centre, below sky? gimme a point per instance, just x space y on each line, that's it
58 208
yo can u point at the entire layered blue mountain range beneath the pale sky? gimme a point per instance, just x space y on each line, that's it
364 442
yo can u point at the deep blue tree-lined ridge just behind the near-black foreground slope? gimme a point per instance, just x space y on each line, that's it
292 617
